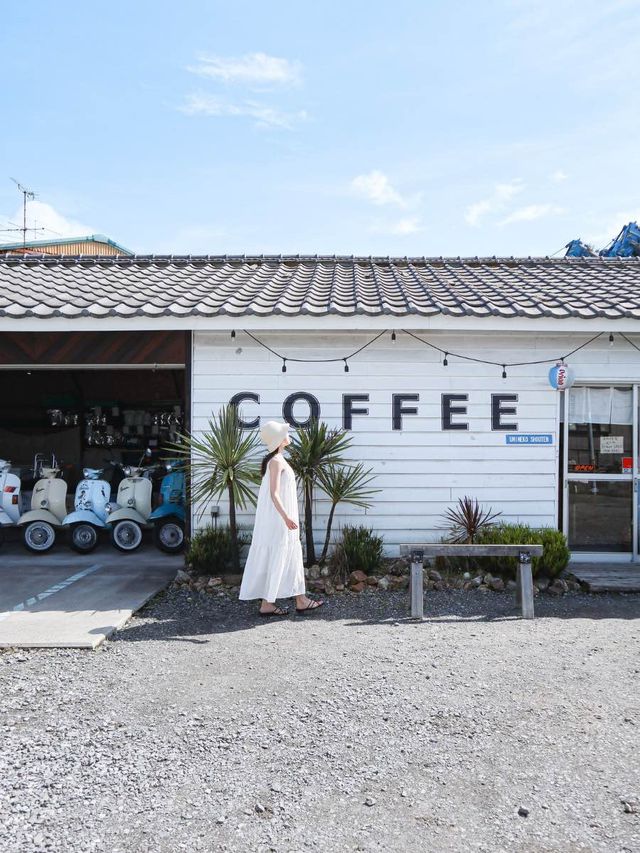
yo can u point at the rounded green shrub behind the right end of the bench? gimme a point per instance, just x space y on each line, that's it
555 556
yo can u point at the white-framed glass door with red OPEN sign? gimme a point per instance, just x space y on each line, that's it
601 470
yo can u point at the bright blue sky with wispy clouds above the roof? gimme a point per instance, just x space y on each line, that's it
419 128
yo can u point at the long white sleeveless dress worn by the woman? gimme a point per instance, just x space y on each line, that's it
274 567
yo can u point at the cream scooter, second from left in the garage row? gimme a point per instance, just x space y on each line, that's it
48 510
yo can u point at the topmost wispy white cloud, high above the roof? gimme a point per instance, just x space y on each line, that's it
252 69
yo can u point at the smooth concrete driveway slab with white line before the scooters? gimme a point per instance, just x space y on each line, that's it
68 600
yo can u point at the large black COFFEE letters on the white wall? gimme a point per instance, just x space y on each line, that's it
453 410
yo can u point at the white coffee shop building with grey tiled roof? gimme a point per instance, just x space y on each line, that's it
431 432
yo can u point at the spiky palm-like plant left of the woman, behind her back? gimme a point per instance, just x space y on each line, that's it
222 458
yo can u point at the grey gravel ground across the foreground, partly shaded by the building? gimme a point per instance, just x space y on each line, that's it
201 727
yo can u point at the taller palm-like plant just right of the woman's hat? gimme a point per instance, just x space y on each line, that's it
312 449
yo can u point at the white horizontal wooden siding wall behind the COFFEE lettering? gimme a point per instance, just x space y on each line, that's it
421 470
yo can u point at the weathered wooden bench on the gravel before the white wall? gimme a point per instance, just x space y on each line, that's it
524 579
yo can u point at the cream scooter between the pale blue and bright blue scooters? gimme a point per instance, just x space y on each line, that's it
134 508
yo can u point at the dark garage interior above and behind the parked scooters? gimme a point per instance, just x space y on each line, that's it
90 399
